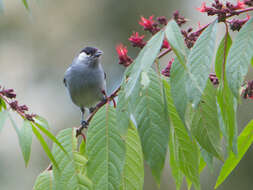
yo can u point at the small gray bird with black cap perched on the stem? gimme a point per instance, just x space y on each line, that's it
85 80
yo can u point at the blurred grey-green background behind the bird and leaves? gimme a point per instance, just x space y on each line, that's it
37 48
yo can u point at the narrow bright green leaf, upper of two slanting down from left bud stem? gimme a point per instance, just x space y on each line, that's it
43 128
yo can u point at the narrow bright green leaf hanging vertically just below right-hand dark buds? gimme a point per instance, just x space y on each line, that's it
227 107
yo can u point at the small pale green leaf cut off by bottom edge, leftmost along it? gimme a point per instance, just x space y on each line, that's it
44 181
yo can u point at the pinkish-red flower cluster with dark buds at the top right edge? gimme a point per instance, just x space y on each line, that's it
221 10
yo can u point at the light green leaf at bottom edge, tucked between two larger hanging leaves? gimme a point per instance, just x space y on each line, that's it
133 173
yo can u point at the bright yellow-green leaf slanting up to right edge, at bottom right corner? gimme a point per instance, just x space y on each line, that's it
245 140
